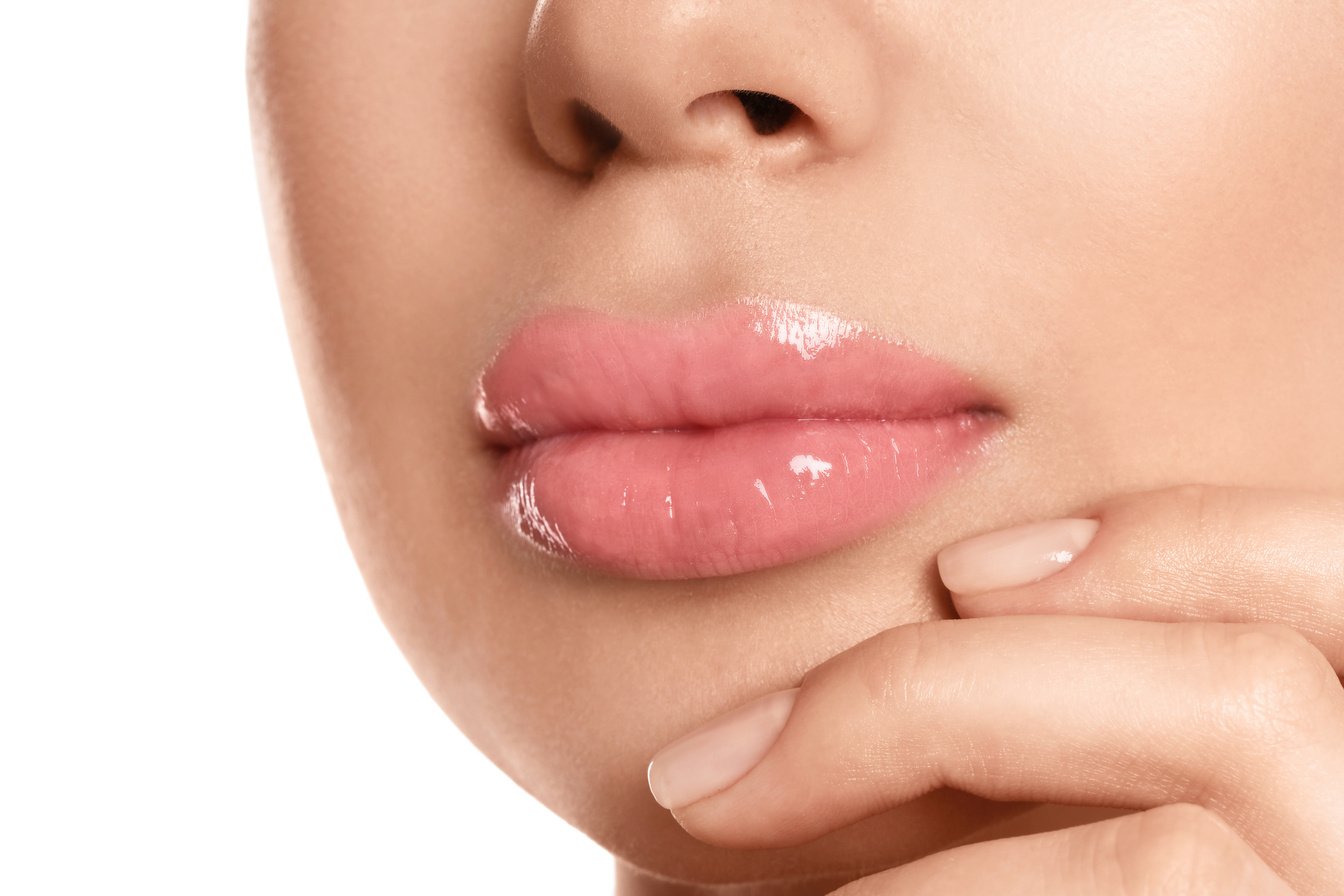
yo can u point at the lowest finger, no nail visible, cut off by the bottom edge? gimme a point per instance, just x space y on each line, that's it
1171 850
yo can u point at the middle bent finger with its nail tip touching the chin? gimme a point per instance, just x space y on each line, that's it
1245 721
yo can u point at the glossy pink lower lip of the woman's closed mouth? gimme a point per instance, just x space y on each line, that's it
685 504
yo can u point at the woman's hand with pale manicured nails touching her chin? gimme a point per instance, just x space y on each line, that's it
1174 652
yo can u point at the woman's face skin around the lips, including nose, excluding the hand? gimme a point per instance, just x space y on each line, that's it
1123 220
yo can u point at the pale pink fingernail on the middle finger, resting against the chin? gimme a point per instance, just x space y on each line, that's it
717 756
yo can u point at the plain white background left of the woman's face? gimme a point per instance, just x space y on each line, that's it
196 694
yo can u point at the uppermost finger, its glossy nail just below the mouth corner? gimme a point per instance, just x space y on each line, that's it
1190 553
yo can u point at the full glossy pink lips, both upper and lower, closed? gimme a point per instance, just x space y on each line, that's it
755 436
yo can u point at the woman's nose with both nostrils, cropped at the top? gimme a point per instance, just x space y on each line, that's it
759 83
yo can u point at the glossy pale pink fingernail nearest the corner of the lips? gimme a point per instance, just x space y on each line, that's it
1015 557
